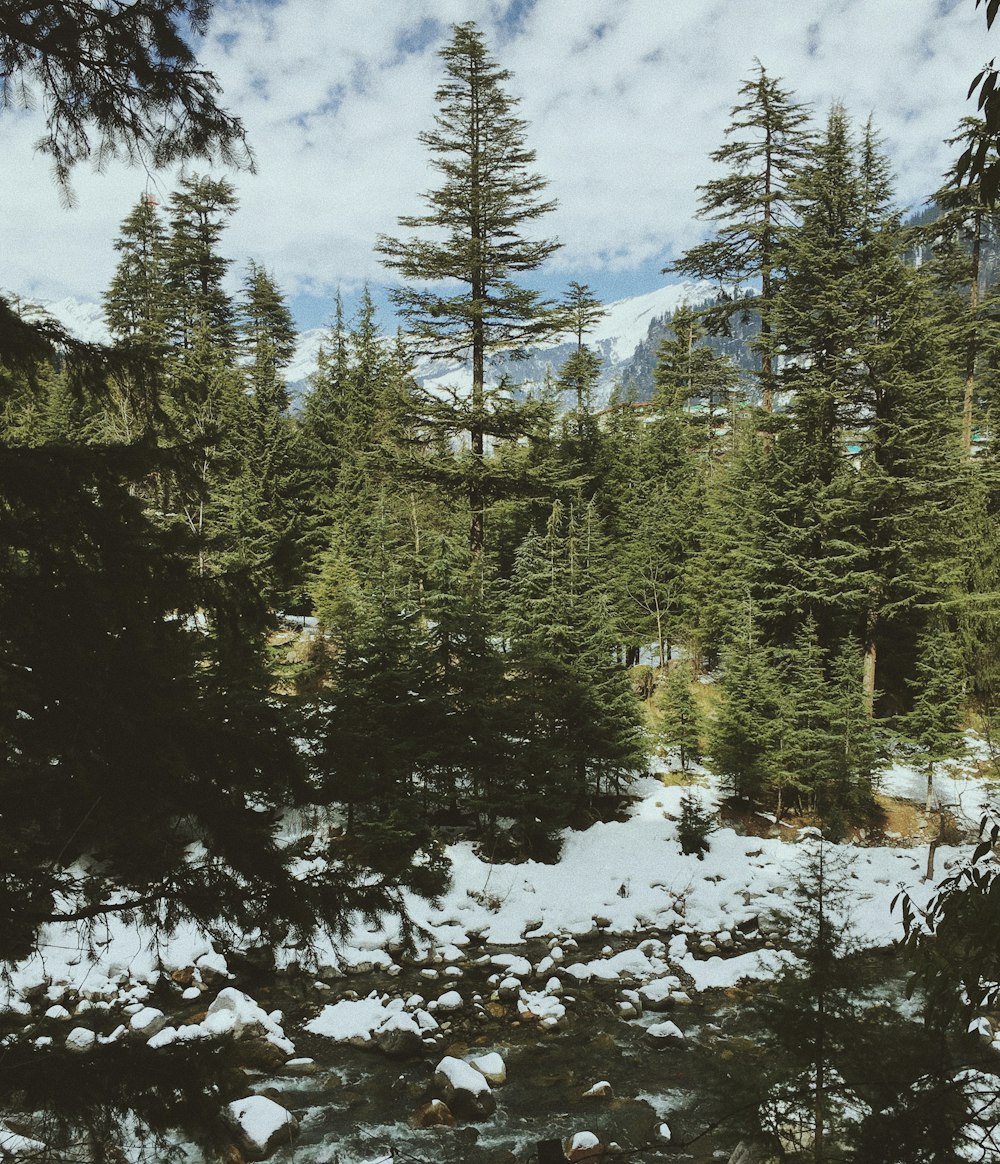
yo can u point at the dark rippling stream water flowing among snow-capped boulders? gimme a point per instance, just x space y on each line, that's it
359 1105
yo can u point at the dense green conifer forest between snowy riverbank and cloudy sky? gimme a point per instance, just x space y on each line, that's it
473 613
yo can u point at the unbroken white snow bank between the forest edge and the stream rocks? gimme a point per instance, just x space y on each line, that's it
618 878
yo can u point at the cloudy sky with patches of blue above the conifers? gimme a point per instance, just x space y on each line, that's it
625 102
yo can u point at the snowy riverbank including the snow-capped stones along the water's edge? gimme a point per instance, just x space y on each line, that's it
657 925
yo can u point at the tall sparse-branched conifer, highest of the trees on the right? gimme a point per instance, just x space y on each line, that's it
751 202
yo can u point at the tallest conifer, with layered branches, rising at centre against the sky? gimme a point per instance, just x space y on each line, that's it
474 233
